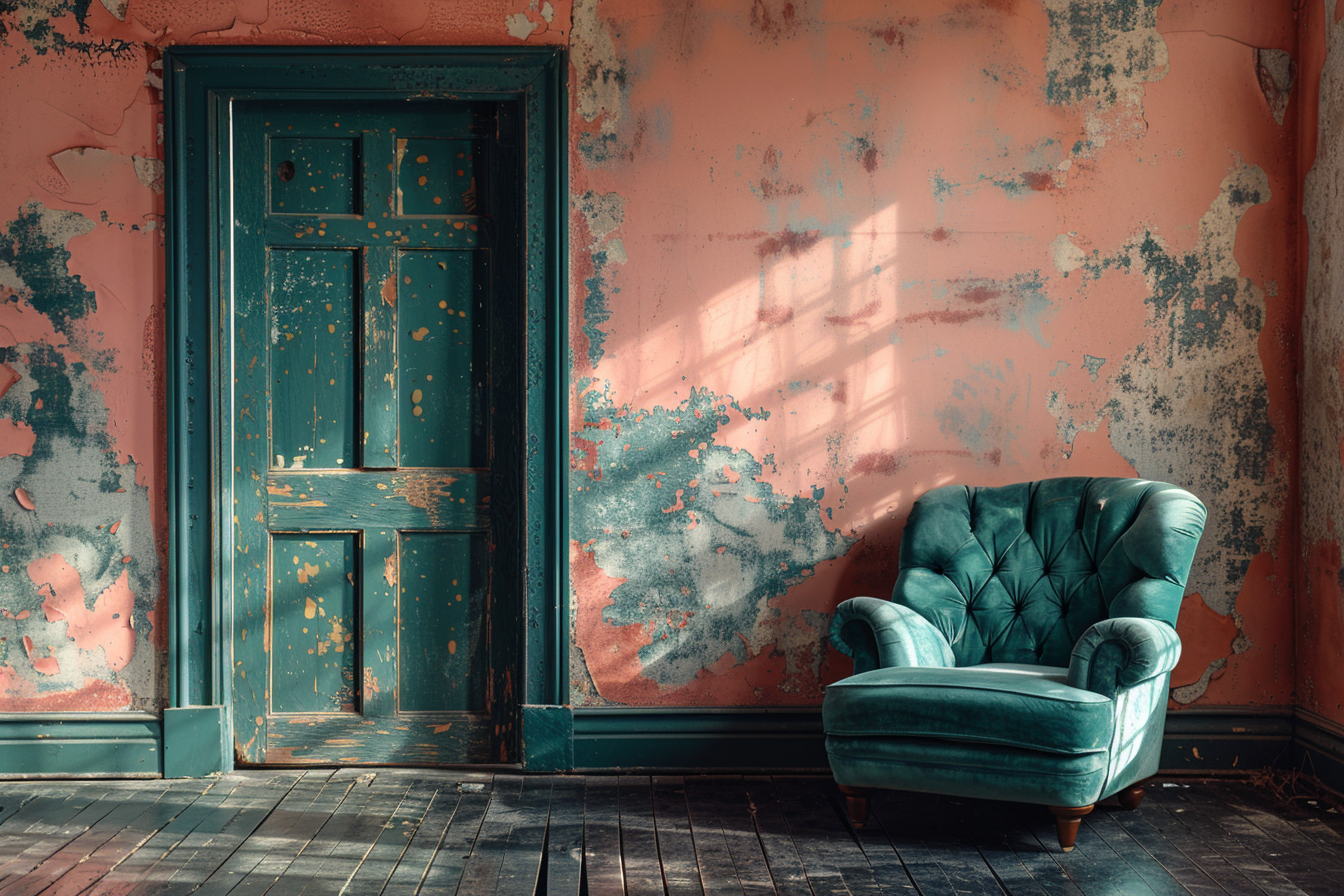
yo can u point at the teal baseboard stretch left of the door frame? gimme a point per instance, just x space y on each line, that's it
81 745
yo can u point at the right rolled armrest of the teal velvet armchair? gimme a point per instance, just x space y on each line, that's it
1123 652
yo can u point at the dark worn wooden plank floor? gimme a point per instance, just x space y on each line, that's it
405 832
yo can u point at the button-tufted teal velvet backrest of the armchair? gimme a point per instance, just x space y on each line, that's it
1018 573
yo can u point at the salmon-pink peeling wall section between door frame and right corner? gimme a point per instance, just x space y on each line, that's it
980 242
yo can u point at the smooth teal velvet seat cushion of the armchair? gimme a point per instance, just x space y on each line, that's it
1019 706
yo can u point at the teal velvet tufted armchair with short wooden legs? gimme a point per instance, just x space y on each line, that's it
1026 651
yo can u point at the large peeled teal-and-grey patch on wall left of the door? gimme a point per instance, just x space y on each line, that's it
80 565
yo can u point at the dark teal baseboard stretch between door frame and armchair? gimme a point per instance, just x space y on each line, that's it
698 740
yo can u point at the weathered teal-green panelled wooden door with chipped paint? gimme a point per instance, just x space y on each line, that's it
376 460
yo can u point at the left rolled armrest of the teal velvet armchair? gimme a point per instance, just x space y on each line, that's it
880 635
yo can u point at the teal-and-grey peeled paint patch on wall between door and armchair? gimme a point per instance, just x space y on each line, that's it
704 543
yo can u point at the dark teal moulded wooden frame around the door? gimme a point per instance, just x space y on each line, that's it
200 84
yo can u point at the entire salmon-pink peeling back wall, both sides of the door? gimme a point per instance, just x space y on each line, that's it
826 256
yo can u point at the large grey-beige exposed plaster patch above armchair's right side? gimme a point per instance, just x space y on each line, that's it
1191 405
